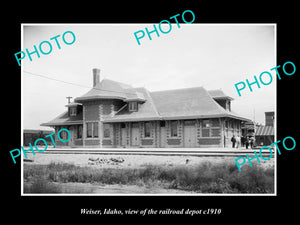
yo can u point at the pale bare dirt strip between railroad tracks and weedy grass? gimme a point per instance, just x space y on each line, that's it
131 161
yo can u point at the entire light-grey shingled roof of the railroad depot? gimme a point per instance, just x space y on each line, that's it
186 103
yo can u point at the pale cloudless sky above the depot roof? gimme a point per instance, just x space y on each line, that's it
214 56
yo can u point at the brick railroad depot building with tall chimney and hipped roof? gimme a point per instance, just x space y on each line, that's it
116 115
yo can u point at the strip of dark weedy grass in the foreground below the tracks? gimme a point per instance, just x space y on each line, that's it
205 177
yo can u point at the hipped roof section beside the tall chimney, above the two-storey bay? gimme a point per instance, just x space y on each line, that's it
109 89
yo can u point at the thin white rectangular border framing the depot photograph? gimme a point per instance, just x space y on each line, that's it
200 194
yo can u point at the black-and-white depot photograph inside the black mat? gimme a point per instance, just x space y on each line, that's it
106 115
